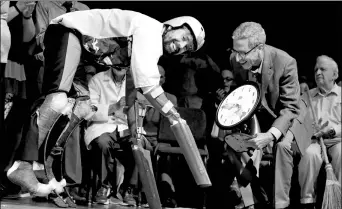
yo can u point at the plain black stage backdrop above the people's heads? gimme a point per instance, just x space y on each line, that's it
303 29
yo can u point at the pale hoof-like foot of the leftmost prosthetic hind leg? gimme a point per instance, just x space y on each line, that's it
22 175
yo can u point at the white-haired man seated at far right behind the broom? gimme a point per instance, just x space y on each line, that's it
326 102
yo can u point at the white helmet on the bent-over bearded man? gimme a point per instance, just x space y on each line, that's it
195 27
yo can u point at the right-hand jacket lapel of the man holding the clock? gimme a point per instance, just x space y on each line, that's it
267 70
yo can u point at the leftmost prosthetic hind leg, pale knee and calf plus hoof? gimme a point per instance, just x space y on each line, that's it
21 173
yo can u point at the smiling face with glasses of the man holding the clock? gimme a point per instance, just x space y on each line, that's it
245 55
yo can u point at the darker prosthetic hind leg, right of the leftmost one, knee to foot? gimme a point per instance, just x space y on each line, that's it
80 110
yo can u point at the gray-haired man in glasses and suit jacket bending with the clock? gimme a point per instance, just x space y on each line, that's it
282 116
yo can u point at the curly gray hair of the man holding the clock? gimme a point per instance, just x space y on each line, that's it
252 31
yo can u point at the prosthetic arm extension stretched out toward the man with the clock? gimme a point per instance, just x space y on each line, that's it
182 132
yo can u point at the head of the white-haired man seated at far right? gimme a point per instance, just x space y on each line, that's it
325 75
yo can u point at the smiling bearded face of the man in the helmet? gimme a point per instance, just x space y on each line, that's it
178 41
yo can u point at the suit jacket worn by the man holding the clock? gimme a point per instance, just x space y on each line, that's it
280 91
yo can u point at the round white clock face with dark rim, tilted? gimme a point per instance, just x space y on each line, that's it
237 106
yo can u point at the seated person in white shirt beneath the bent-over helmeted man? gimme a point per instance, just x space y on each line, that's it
108 133
